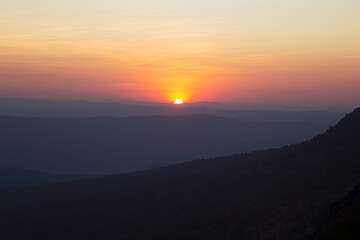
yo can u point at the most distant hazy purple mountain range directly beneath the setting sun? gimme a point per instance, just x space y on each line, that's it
80 109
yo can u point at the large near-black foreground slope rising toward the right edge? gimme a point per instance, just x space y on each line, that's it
273 194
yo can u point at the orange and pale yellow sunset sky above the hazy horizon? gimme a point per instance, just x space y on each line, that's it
300 52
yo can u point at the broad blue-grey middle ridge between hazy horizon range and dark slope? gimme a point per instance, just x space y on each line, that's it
105 145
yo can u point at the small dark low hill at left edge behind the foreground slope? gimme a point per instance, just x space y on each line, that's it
10 177
